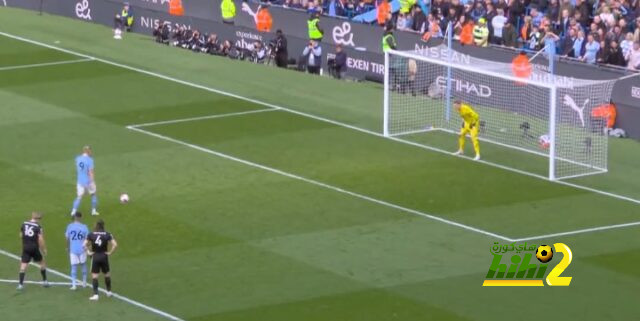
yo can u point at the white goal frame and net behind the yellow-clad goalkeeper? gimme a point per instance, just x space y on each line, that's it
542 125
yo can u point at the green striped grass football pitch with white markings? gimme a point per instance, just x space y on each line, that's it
267 194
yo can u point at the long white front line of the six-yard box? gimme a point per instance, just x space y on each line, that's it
324 185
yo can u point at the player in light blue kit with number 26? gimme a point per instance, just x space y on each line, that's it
76 234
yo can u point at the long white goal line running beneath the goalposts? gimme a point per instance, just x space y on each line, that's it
337 123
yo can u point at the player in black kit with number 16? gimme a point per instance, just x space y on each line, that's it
33 248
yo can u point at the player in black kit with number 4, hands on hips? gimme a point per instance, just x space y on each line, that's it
97 245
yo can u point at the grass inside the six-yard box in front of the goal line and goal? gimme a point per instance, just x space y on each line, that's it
461 191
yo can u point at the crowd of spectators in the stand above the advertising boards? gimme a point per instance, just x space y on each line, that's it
592 31
